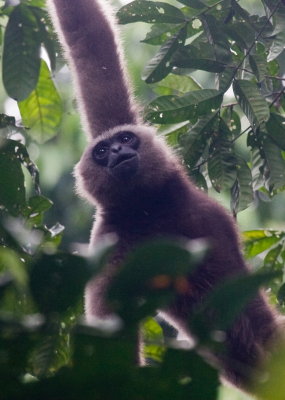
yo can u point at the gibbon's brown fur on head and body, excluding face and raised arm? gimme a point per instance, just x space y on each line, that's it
161 201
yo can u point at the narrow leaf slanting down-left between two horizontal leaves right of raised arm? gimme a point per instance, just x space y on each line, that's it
159 66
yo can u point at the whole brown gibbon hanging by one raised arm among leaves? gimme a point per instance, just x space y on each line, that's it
140 188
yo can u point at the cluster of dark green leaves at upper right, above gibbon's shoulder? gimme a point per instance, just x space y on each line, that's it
238 49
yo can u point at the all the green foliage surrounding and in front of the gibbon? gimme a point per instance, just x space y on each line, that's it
46 352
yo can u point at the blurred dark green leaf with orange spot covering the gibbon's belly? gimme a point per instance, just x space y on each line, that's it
148 272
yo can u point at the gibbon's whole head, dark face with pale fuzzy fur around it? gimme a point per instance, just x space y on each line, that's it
124 158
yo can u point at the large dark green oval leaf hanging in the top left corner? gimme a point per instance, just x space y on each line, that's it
21 54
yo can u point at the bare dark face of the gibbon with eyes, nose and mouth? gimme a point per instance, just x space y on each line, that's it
119 154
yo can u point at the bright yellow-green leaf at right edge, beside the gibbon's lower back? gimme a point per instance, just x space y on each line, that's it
257 241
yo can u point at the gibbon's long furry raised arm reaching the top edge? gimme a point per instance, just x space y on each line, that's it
87 31
